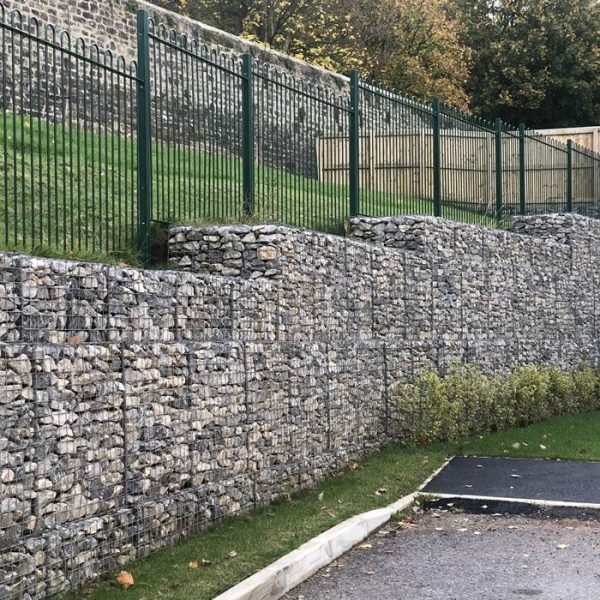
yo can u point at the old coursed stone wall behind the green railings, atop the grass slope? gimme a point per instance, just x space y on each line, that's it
196 103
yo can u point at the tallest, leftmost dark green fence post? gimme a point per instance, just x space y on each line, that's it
144 137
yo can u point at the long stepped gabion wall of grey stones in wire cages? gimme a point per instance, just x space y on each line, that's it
139 406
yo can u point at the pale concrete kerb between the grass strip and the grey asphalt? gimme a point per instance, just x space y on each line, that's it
283 575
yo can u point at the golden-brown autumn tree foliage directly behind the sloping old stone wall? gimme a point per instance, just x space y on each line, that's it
410 45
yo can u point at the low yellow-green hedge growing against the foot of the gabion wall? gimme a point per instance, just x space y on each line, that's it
467 402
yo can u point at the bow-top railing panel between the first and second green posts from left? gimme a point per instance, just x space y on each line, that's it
196 96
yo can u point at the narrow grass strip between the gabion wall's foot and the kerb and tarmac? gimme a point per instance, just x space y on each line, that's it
265 535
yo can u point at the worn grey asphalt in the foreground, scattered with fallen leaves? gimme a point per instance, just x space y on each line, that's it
457 556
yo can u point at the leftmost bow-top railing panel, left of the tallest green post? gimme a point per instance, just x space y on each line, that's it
67 141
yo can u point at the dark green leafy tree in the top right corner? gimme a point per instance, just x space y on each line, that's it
536 61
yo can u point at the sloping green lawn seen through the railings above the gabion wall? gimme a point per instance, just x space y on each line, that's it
70 191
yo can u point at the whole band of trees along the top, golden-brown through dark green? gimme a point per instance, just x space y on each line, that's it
524 60
